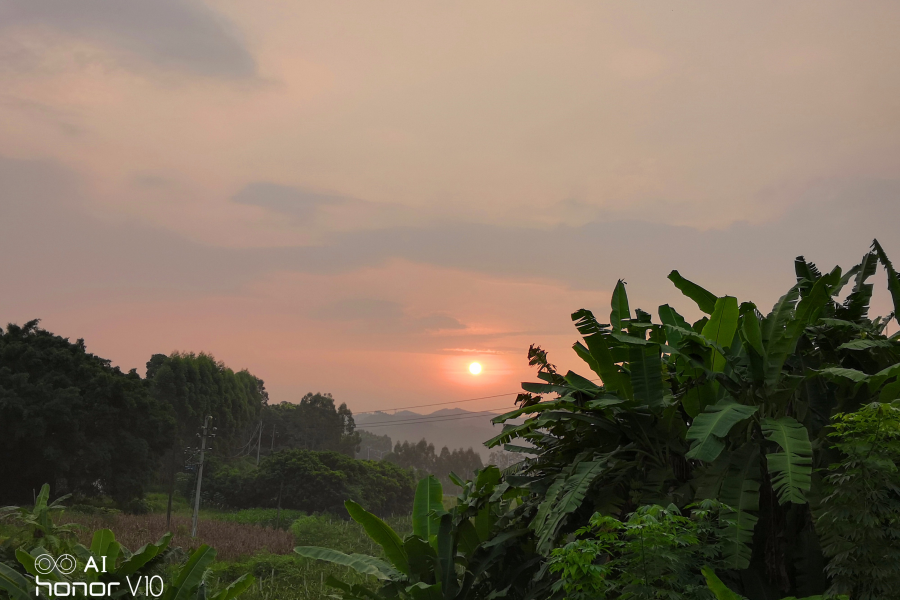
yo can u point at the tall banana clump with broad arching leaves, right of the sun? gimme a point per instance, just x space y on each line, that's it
732 407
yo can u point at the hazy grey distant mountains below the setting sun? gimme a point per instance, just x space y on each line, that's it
451 427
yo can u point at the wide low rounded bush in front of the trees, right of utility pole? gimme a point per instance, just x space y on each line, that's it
311 481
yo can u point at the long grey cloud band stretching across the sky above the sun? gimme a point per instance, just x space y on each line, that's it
50 244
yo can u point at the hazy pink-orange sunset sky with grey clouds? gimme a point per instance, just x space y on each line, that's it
362 198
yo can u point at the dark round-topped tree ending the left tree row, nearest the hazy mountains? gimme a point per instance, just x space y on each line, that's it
313 424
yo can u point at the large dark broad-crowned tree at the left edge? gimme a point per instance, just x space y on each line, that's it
69 417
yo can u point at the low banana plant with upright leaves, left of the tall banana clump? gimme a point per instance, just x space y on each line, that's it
448 553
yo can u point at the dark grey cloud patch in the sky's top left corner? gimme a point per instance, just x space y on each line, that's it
180 34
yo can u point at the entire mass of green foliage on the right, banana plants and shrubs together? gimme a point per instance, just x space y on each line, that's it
734 411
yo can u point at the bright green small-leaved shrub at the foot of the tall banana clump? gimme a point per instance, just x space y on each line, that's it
655 553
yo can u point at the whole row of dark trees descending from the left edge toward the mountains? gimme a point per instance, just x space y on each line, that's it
72 419
